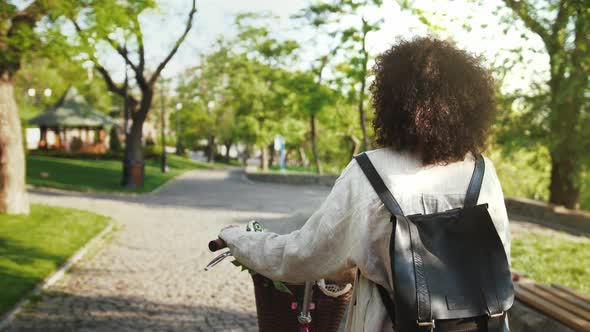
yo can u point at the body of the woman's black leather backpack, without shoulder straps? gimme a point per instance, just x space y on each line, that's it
450 265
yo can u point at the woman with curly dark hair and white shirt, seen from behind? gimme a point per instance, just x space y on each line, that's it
434 105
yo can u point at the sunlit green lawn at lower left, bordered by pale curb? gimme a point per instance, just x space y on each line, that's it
34 246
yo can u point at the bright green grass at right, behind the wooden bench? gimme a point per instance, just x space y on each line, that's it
553 258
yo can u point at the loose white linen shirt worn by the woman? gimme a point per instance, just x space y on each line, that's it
351 229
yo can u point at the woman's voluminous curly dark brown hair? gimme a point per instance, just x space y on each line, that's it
432 98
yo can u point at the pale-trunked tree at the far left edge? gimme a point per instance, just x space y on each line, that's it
17 38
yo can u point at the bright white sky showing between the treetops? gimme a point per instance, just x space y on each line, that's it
215 18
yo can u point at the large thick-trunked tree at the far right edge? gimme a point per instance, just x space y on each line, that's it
564 28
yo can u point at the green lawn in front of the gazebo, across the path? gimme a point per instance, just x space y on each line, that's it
99 175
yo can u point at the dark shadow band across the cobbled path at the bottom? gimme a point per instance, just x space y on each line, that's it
90 313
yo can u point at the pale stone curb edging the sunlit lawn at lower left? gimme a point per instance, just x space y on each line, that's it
7 318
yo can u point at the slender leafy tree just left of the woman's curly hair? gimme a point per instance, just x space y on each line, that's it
353 39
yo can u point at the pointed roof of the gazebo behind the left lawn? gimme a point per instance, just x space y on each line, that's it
72 111
